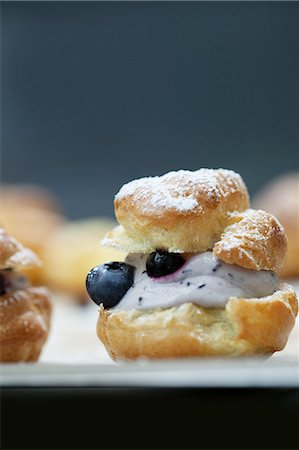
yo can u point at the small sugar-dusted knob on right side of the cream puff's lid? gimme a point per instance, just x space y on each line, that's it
254 240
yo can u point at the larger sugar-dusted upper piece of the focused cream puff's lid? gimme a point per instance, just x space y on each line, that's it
180 211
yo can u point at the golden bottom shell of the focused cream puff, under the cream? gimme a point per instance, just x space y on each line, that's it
244 327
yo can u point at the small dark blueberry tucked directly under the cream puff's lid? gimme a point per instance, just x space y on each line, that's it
161 263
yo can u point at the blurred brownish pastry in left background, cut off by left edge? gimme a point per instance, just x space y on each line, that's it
30 213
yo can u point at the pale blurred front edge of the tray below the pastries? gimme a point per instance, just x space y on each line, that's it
244 372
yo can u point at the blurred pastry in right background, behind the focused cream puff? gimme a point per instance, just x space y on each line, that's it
281 198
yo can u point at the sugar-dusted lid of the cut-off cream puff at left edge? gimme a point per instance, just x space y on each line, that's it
13 255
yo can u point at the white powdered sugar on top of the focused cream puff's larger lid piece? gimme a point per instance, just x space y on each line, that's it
176 190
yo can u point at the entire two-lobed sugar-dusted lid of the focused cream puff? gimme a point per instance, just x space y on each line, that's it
190 212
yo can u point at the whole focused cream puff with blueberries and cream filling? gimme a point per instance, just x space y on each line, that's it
200 278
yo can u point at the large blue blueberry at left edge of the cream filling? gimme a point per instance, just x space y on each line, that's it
108 283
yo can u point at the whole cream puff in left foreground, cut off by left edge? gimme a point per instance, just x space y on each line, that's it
25 311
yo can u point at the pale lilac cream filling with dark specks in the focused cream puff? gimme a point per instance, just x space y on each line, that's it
203 280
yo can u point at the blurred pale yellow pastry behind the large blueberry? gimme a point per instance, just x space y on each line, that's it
70 251
